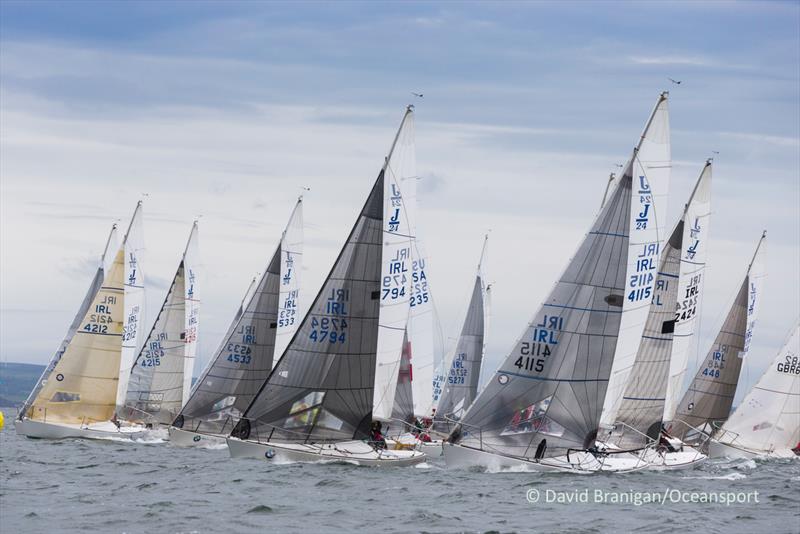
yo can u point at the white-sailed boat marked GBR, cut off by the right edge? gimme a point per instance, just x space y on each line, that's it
767 421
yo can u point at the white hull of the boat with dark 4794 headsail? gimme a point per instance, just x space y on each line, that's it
356 452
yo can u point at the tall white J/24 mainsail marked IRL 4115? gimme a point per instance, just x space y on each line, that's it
654 157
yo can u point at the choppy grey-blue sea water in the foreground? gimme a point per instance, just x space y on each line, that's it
94 486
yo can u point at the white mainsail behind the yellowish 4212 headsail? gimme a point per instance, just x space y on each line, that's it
134 303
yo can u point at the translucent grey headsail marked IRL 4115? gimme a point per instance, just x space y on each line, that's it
548 394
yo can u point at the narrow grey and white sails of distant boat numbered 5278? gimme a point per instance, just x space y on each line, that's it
461 384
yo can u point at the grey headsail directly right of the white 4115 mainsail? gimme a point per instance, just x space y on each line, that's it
642 406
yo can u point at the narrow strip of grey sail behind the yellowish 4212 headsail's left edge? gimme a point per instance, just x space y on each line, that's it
104 267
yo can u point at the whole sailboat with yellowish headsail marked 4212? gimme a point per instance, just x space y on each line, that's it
79 392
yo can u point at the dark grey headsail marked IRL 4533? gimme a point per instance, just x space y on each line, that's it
241 363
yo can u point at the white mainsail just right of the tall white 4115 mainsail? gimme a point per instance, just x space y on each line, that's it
690 287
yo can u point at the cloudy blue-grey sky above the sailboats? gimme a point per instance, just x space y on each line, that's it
228 110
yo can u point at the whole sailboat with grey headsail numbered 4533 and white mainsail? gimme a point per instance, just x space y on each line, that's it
266 319
